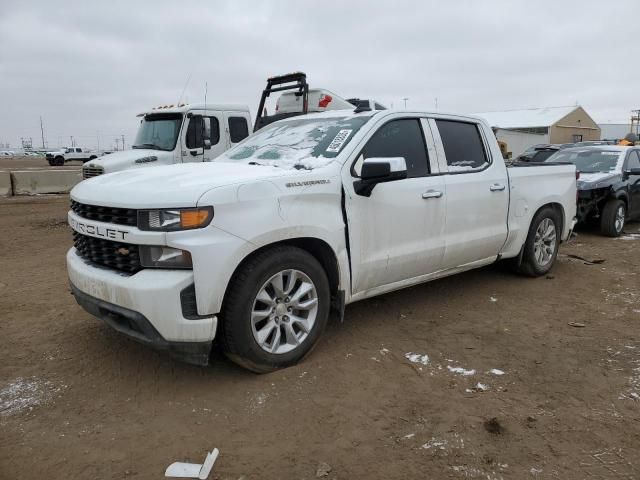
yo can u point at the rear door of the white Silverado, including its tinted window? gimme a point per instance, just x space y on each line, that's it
477 193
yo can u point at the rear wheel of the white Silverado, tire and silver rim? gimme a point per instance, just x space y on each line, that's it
541 246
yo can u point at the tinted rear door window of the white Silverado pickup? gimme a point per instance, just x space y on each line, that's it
462 145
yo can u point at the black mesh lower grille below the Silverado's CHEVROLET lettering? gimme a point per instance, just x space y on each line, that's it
119 256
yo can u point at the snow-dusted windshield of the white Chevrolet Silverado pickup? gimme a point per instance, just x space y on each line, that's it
301 143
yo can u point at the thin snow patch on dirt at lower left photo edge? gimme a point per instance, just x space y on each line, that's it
25 393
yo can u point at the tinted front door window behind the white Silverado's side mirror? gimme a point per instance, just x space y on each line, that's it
398 138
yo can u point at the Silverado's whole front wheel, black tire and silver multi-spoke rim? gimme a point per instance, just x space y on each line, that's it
276 307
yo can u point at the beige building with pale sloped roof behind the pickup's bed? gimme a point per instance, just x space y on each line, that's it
521 129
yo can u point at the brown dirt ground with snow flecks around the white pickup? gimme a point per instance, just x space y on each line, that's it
79 401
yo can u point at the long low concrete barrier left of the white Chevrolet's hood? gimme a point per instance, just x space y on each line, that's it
32 182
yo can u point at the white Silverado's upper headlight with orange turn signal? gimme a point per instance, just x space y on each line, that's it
174 219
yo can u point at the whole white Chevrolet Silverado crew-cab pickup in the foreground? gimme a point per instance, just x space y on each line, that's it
305 216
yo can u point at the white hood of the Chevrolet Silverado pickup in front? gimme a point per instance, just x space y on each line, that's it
169 186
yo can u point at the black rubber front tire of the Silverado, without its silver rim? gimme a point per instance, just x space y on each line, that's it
237 338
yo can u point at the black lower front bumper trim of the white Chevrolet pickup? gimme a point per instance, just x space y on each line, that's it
139 328
